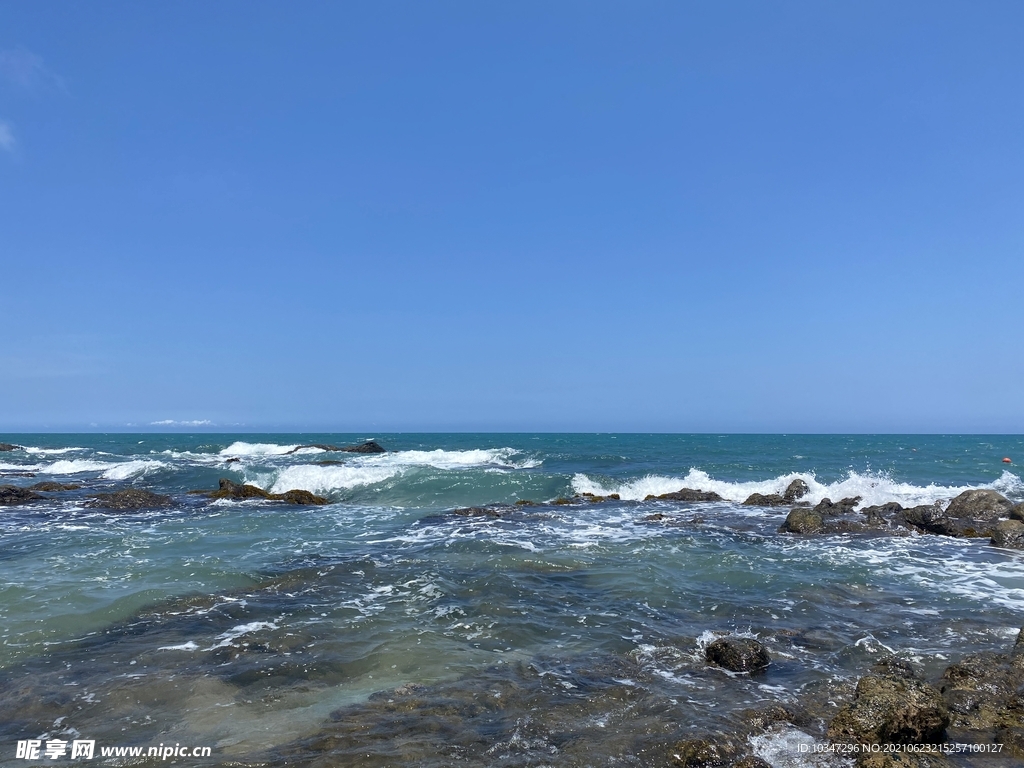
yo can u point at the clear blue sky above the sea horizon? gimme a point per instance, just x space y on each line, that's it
581 217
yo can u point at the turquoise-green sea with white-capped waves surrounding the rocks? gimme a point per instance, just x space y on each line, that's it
387 629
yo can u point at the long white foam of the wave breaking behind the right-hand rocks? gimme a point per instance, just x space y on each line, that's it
873 489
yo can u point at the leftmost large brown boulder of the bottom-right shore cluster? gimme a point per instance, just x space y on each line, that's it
891 710
